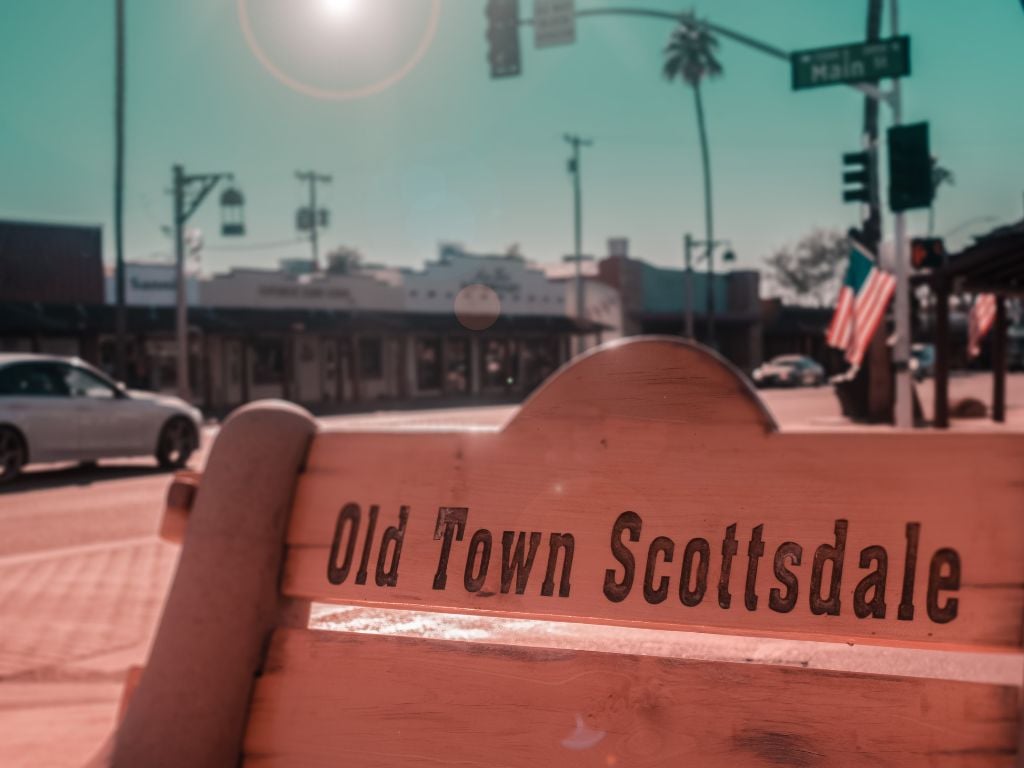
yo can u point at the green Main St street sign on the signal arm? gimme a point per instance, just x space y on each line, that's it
862 63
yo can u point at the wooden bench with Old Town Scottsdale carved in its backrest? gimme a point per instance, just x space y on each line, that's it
644 488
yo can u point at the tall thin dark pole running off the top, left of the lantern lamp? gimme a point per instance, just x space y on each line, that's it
120 326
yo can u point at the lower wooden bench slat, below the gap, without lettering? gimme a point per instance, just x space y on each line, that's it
329 699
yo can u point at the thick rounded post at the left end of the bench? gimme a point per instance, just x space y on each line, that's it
190 709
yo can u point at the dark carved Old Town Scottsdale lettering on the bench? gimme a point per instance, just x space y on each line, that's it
527 567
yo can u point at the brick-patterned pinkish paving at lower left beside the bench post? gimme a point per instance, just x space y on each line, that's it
74 621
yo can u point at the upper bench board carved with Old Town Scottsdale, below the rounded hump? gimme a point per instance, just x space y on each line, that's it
578 478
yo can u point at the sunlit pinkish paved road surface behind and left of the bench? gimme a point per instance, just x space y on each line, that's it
83 578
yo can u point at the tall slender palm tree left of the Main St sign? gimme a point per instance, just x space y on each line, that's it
691 57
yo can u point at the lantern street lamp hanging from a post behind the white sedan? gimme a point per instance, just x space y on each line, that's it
190 191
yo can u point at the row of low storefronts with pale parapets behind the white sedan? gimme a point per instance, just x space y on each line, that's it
466 327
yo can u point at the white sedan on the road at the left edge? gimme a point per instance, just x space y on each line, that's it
61 409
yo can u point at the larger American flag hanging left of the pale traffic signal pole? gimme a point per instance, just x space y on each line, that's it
862 306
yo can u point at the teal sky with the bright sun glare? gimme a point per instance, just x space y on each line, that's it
429 149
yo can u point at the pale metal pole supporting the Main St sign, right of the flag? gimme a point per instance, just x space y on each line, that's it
902 352
